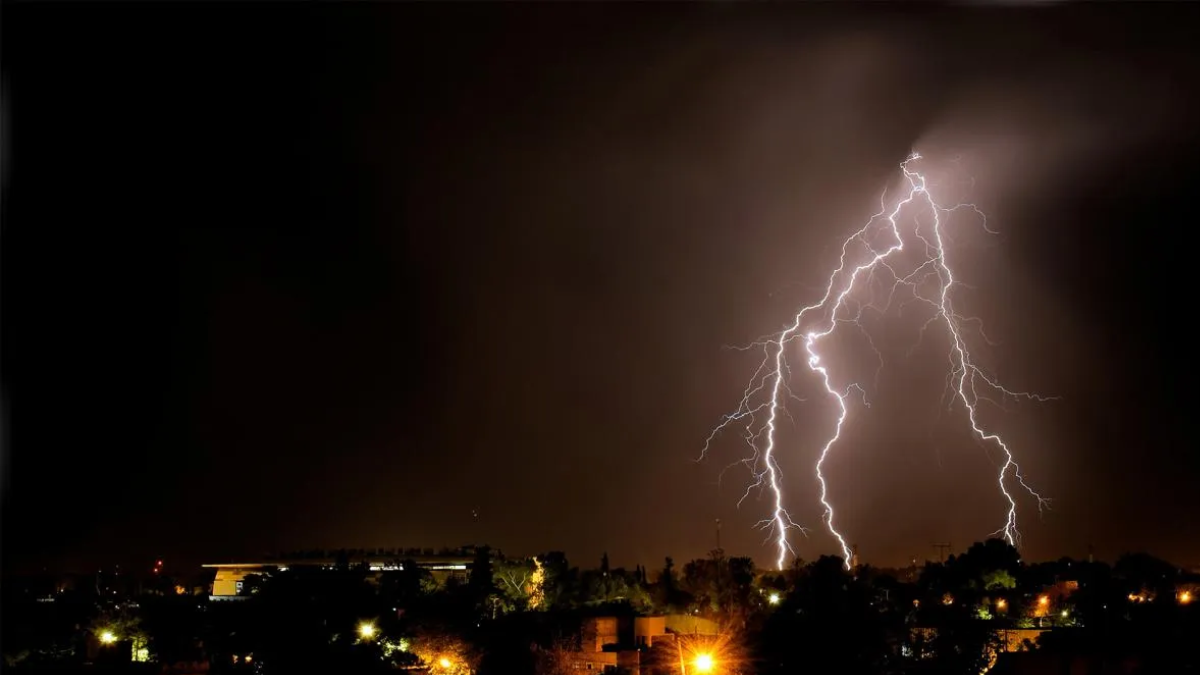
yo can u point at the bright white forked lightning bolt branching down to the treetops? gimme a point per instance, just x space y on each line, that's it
928 279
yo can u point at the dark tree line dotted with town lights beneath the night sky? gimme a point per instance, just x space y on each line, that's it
526 616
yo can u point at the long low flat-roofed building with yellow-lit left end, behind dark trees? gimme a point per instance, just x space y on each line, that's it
231 580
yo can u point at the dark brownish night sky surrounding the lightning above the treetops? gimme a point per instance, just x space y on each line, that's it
290 277
